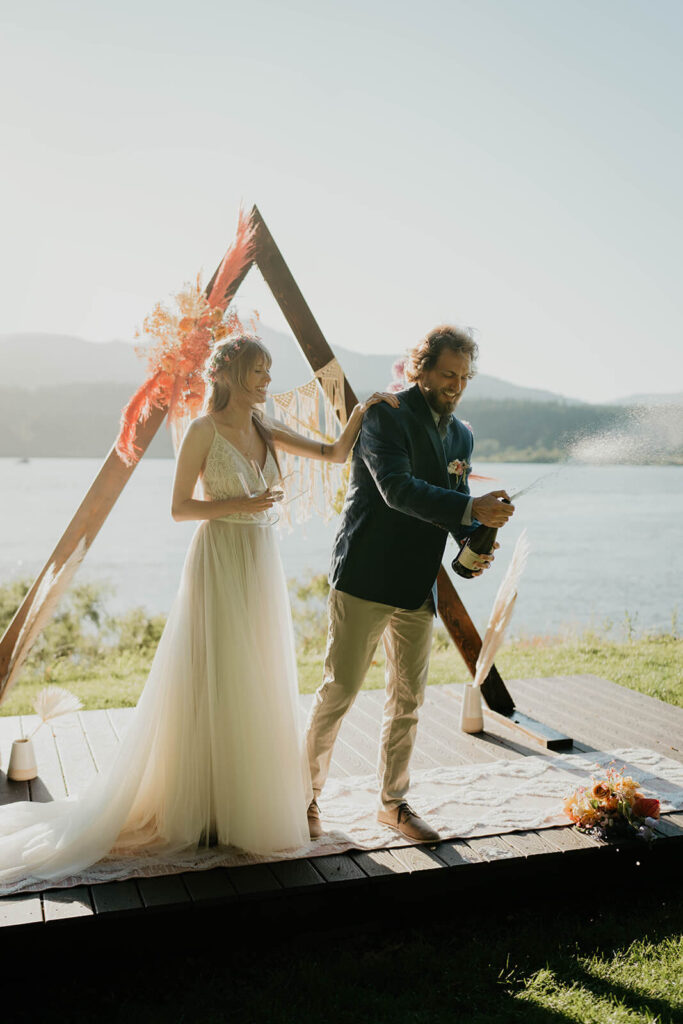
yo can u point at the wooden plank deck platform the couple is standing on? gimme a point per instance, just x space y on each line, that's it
359 885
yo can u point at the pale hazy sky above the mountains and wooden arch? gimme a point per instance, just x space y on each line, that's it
511 165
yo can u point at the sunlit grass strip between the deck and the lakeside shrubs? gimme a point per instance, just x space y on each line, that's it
650 664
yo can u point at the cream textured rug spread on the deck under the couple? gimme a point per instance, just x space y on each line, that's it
461 803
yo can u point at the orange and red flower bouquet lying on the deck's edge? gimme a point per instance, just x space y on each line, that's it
612 808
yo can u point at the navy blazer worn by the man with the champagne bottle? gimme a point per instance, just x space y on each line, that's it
401 504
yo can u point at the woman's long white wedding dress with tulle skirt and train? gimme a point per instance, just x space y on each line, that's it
215 752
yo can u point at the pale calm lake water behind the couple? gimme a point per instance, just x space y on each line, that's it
606 540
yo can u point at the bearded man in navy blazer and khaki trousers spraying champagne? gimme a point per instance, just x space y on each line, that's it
407 492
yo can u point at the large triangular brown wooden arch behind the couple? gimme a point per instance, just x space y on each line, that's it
114 476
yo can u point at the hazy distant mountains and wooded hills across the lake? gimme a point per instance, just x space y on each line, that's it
62 397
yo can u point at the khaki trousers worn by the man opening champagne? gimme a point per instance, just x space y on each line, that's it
356 627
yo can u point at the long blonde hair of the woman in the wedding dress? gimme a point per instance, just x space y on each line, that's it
227 371
